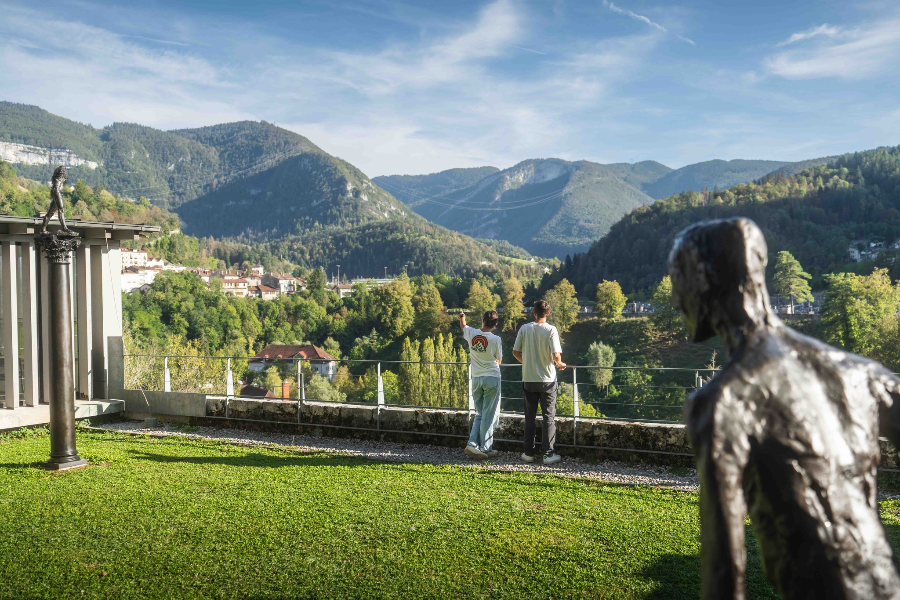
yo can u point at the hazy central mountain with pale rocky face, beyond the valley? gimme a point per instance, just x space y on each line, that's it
549 207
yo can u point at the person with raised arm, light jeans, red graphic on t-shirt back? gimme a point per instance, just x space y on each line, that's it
486 352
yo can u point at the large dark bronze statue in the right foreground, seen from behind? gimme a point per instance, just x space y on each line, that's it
787 432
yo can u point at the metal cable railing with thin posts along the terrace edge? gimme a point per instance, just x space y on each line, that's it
642 394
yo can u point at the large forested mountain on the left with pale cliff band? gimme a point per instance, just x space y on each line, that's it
249 180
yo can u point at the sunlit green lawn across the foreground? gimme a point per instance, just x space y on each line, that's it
163 518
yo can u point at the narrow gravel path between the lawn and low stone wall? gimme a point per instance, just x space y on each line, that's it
421 453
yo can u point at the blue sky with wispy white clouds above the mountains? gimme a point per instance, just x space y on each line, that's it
417 87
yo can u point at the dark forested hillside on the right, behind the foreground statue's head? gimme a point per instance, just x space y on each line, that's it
815 214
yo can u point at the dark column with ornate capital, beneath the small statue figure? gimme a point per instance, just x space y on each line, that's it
60 370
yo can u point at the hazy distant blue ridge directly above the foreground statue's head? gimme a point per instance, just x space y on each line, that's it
710 174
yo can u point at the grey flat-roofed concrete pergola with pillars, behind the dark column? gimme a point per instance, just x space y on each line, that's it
97 311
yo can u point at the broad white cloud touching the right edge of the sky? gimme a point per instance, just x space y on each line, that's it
865 51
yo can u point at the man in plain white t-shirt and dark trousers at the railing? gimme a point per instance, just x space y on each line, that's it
537 347
